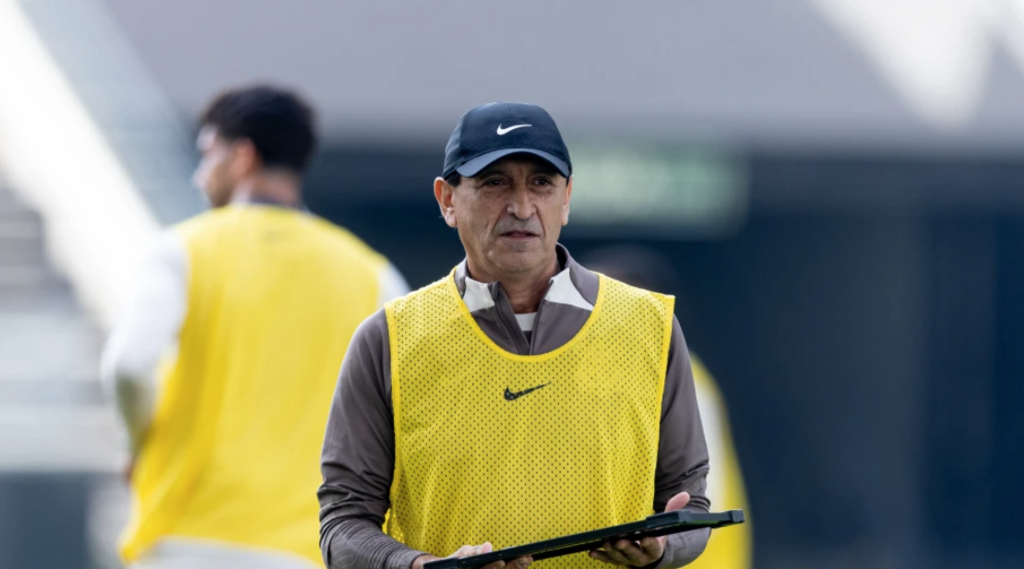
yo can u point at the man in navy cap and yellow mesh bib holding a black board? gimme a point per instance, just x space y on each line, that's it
519 399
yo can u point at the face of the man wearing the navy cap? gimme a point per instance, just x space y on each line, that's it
509 216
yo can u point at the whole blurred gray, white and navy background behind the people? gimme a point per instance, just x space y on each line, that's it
838 186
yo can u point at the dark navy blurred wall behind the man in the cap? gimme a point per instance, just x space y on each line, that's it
870 356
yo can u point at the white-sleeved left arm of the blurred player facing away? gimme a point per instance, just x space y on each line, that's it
148 328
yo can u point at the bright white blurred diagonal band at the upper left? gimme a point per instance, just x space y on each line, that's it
57 158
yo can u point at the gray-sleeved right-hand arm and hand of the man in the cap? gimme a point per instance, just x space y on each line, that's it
680 478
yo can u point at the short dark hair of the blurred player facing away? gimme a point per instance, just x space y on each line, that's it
279 123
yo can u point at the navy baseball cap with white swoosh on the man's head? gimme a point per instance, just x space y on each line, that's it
495 130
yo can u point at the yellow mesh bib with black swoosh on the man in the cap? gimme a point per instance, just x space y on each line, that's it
493 447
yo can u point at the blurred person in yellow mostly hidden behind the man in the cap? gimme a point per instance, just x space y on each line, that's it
727 550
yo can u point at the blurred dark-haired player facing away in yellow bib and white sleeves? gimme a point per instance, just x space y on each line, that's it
261 299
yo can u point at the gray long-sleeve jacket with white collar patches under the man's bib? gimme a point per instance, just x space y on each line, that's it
359 450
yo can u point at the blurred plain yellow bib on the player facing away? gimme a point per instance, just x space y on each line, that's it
233 455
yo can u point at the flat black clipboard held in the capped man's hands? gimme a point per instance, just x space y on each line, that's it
653 527
